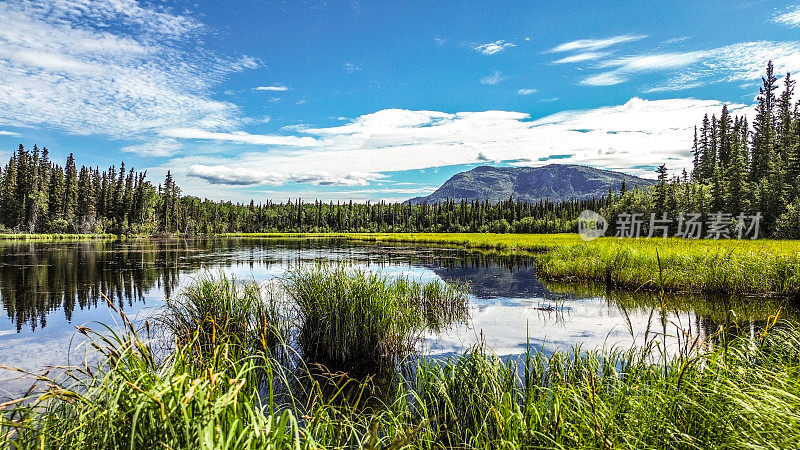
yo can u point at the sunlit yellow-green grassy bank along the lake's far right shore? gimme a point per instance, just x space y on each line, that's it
760 267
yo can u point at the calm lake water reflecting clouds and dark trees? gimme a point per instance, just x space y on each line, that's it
47 289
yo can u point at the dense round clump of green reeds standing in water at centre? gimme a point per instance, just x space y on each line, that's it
351 319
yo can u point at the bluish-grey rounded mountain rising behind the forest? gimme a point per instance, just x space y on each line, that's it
556 182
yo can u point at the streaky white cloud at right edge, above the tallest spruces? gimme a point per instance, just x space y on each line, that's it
737 62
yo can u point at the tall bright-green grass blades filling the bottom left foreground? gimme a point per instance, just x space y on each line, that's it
133 399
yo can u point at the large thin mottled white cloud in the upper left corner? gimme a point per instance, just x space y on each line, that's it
62 67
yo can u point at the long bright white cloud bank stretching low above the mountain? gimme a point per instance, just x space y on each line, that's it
629 137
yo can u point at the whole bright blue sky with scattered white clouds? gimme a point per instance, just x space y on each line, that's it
341 100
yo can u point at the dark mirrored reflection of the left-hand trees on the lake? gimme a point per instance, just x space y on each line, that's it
39 279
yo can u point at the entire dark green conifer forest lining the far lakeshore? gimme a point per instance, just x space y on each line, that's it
739 168
